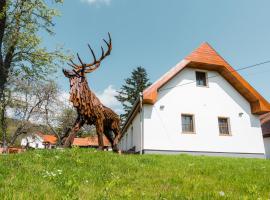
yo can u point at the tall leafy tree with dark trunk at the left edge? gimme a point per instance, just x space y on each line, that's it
20 47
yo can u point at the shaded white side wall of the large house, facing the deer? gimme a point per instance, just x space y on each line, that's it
132 138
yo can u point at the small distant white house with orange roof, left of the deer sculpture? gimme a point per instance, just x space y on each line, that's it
39 140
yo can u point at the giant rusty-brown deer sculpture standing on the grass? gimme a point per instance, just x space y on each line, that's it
89 108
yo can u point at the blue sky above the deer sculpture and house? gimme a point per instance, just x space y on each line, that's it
156 34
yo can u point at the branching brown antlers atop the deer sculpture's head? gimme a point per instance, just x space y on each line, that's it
87 68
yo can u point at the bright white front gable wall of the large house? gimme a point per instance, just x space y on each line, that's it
163 131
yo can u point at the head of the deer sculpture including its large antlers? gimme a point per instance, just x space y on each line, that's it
79 70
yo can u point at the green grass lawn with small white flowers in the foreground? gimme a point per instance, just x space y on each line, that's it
87 174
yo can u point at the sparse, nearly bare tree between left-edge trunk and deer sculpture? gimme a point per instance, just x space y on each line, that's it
31 104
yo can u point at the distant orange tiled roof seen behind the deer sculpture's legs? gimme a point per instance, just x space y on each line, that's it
89 141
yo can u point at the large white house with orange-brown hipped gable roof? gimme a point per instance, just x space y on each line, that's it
201 106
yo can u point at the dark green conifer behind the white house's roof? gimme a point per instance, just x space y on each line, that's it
131 89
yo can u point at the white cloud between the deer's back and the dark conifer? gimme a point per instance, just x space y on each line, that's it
107 97
